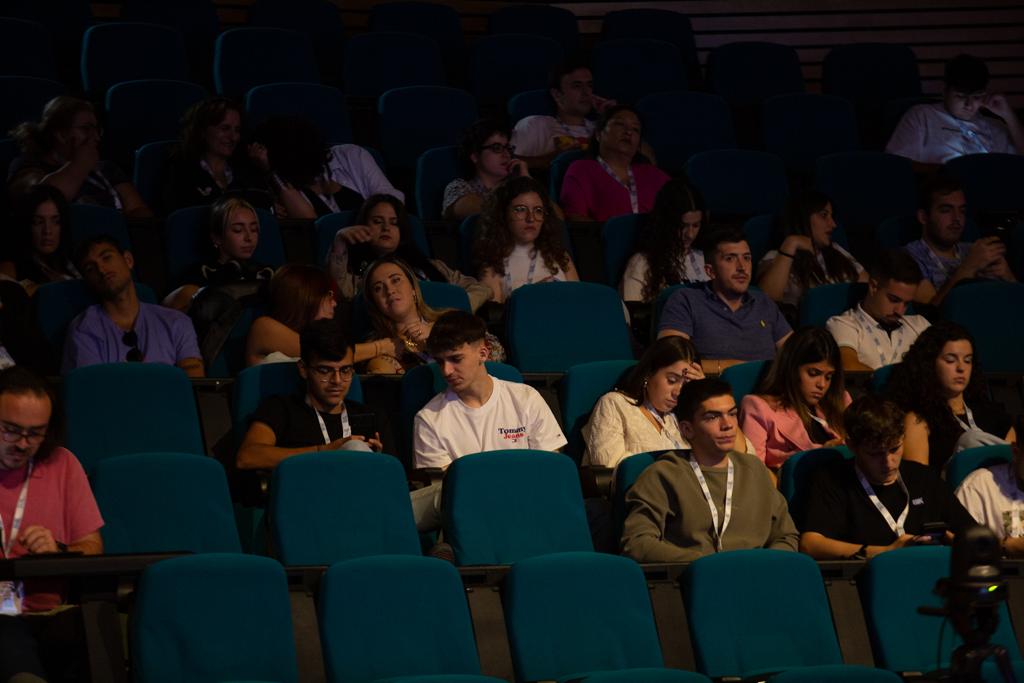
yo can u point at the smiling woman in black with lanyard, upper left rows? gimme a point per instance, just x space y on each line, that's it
205 165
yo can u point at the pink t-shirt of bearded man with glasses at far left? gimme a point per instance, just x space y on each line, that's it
61 500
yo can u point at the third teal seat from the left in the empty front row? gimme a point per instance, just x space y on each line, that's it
570 615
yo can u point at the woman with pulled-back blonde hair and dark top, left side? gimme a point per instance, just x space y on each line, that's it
235 236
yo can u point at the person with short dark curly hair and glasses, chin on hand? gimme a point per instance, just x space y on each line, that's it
486 158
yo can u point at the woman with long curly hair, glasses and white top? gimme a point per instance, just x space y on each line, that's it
520 241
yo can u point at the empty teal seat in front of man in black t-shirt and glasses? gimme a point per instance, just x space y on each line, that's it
332 506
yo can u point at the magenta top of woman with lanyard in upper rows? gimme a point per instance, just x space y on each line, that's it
590 191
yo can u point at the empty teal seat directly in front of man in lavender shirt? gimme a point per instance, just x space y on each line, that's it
125 408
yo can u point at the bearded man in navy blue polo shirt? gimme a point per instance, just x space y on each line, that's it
728 323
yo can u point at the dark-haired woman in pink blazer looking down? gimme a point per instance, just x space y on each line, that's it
799 405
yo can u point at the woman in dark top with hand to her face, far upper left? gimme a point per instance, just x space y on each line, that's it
63 150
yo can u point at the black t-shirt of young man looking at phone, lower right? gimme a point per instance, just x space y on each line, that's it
839 509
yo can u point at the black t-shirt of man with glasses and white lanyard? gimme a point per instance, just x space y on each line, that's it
295 426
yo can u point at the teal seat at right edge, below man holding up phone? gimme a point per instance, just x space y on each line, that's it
982 309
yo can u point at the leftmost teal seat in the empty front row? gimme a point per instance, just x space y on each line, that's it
214 618
